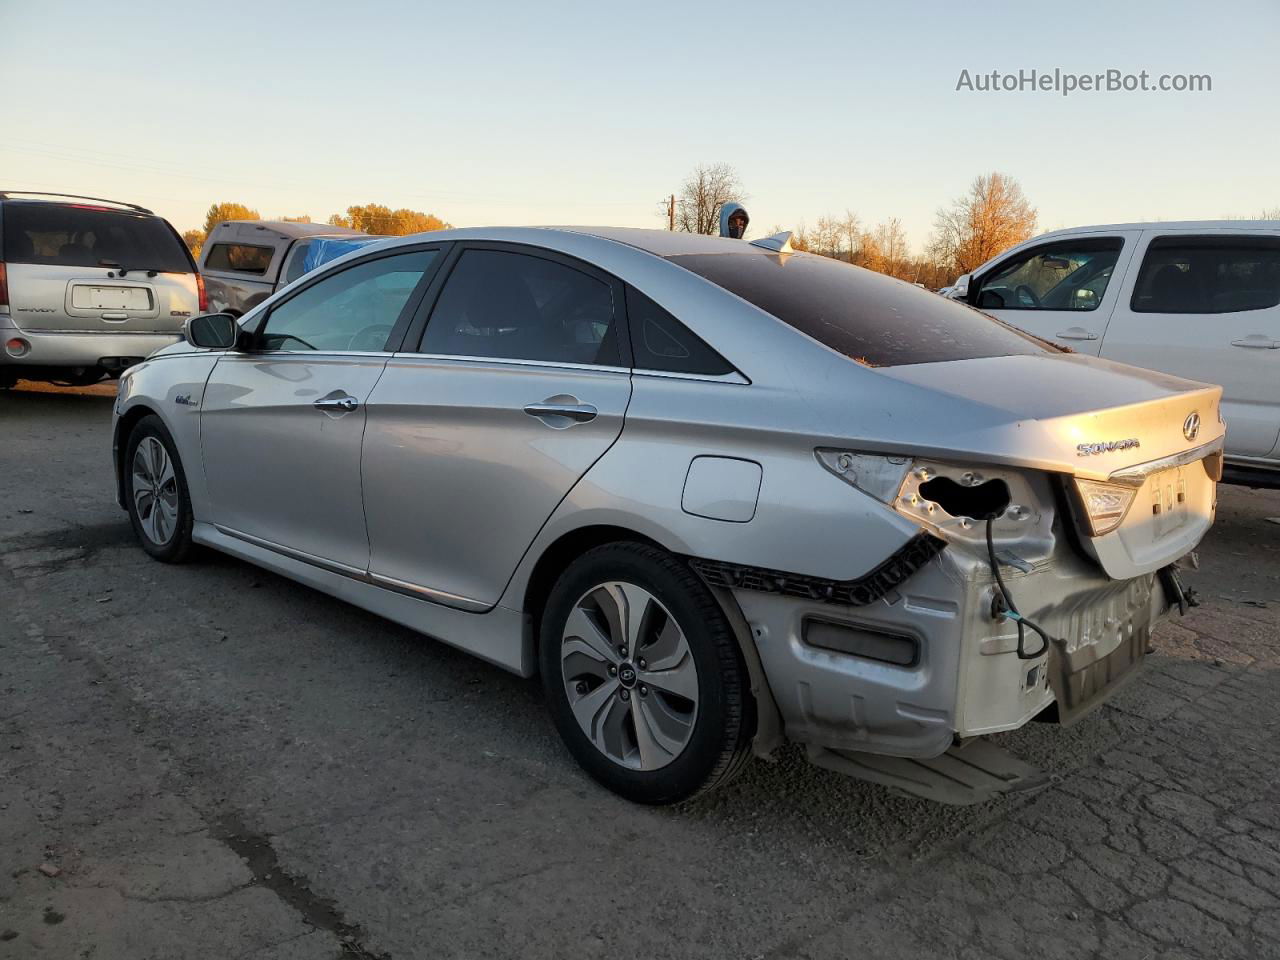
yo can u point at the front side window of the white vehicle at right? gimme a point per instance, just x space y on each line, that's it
1071 276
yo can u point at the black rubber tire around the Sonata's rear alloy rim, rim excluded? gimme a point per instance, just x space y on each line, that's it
725 721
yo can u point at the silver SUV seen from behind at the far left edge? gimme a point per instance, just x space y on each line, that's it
88 287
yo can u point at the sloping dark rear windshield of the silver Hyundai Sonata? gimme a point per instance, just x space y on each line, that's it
866 316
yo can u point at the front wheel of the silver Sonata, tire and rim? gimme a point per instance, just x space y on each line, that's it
156 490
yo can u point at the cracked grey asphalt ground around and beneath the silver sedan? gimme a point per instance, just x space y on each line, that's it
214 762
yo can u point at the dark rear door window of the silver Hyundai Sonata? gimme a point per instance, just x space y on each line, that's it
514 307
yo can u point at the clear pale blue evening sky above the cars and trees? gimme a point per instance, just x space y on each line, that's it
554 113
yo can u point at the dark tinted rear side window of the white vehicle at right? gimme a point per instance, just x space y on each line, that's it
1209 276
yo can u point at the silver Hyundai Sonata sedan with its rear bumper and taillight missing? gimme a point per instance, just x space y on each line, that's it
719 495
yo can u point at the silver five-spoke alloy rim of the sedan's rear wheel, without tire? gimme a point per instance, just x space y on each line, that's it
629 676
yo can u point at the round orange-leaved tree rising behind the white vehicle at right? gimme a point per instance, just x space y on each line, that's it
993 217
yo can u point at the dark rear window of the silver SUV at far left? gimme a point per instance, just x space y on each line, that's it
77 236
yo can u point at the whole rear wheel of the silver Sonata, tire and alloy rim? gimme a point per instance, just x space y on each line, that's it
643 675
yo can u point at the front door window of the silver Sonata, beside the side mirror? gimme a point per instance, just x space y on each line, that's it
351 310
